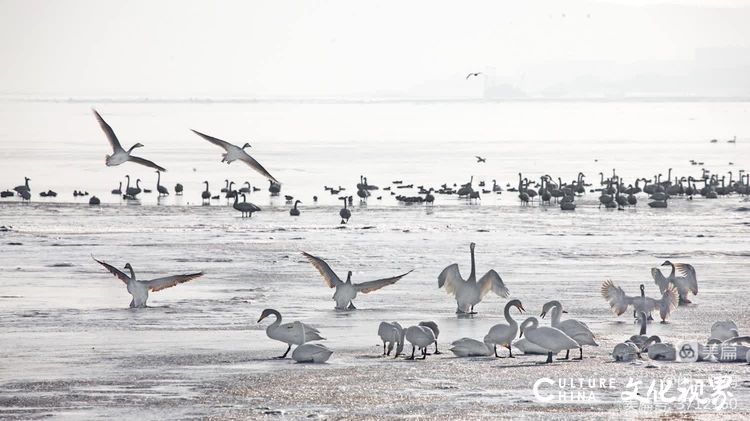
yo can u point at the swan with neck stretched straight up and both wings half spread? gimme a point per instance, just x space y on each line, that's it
470 292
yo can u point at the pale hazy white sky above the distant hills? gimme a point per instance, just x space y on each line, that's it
340 48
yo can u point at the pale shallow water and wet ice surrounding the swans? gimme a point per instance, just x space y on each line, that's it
71 347
